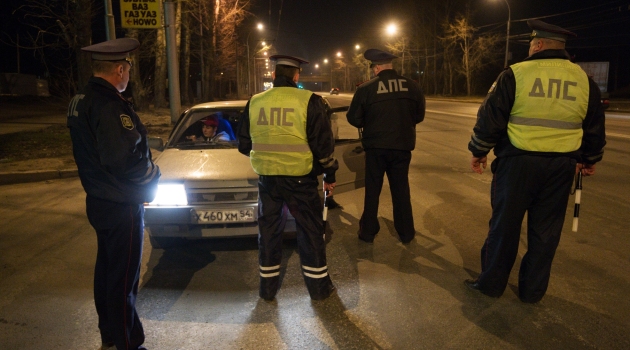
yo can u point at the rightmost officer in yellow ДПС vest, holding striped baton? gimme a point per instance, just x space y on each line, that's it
544 119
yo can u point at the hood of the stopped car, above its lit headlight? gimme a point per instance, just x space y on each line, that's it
203 165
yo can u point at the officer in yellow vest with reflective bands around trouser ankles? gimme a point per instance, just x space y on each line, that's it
287 135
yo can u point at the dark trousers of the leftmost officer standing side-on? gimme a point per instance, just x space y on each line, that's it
120 235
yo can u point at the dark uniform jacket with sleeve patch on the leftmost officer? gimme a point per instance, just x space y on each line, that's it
110 146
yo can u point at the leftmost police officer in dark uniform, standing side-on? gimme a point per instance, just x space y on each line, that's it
114 161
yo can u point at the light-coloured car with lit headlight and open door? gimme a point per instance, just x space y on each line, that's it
209 189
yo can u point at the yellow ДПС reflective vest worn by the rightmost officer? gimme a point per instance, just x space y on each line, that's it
550 105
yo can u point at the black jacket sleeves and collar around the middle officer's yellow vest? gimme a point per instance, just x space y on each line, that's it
318 131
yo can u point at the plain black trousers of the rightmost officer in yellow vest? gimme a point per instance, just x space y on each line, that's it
539 186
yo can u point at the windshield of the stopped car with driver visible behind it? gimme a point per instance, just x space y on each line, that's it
207 128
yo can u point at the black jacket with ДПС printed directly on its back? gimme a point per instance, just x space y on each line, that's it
388 107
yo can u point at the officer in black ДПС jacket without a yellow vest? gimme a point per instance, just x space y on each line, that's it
387 107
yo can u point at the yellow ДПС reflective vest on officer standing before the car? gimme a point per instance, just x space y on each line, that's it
277 125
